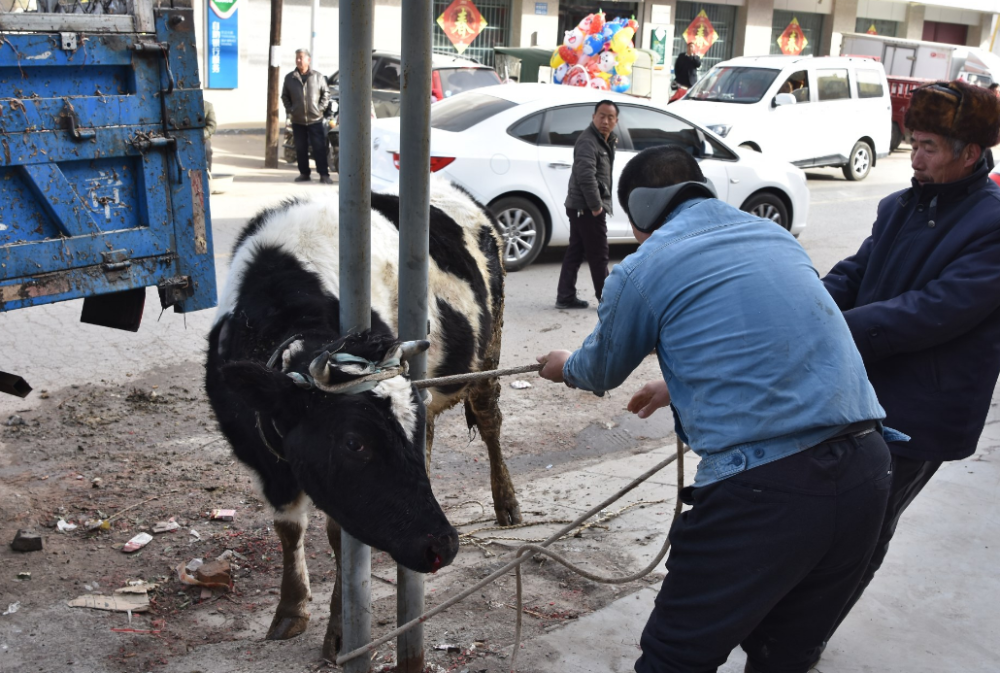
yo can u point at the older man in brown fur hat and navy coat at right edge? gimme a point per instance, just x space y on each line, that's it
922 295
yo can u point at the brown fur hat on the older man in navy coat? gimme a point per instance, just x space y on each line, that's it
956 110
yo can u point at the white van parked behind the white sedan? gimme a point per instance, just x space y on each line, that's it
810 111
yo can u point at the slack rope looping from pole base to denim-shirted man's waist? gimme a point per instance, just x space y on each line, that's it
521 556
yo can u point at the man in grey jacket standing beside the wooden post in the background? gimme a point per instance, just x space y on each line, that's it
305 96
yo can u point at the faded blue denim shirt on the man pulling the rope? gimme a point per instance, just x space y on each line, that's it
757 356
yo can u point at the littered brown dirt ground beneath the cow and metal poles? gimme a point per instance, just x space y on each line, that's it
150 450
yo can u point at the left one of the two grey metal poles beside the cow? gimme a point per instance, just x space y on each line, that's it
356 23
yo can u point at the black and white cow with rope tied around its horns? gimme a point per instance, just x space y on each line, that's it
331 418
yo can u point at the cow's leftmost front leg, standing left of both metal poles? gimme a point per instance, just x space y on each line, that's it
292 617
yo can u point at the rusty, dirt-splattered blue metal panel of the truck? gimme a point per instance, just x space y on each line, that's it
103 186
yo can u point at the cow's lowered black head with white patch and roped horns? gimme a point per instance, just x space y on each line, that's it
345 416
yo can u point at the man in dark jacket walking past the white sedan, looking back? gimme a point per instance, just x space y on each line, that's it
588 202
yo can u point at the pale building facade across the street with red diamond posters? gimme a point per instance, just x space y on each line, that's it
741 27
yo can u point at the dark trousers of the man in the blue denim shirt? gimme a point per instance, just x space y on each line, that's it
767 560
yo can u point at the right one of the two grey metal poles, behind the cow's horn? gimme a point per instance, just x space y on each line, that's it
414 228
